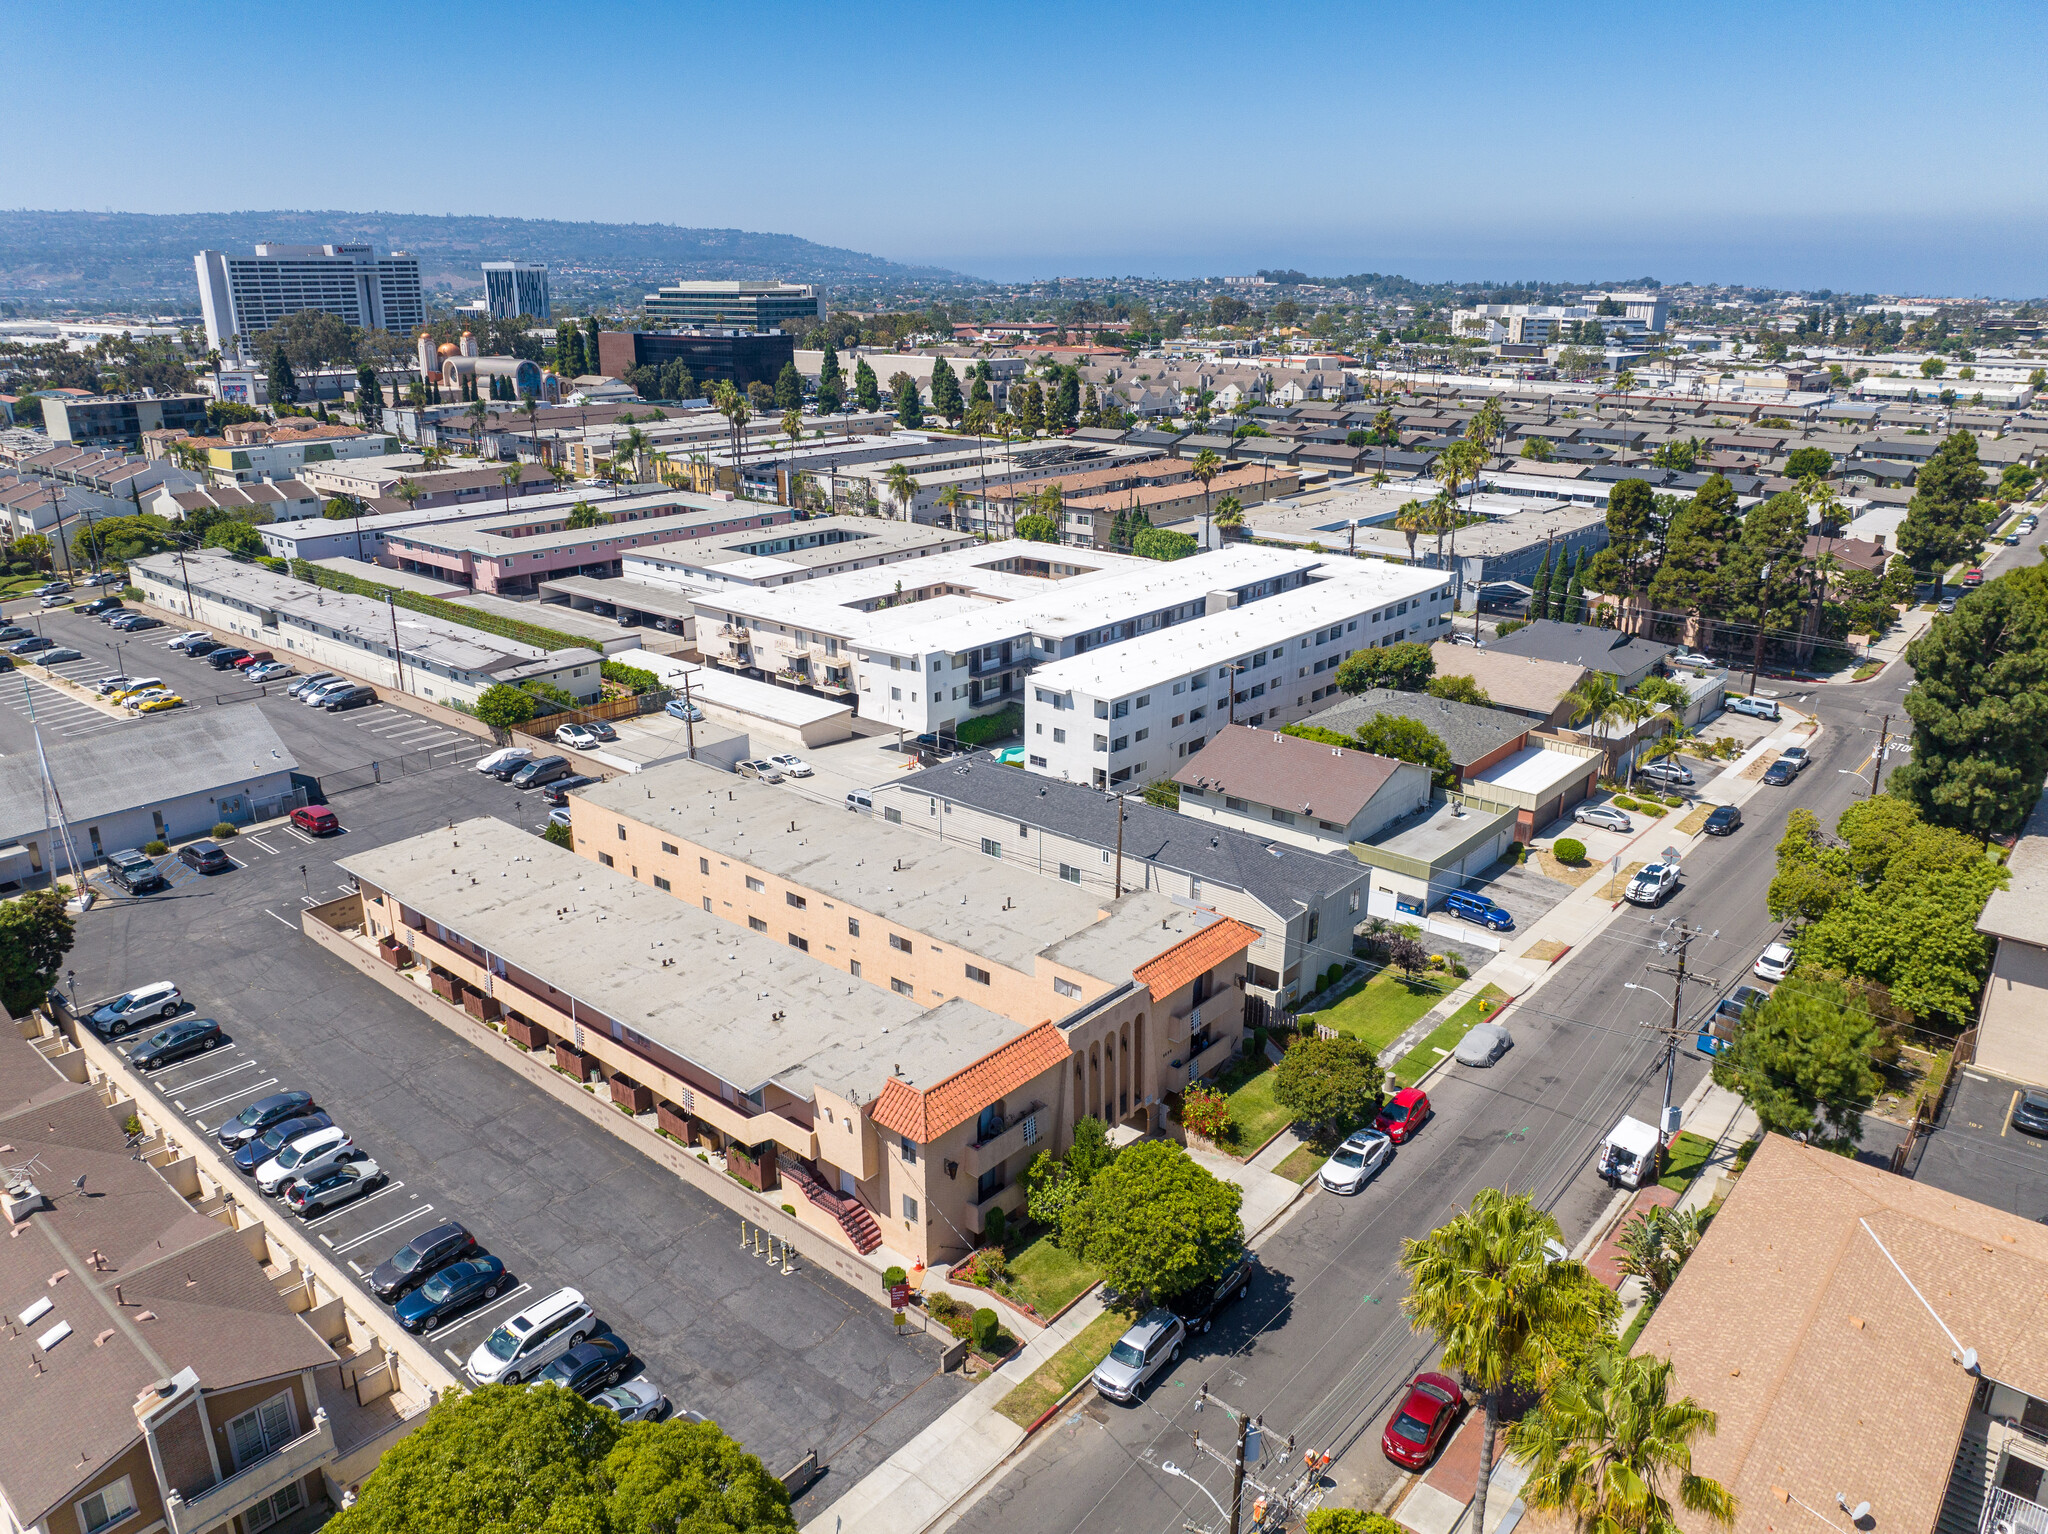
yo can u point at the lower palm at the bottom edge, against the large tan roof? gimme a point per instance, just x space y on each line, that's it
1607 1445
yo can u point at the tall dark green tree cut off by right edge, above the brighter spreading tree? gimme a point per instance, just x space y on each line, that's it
1981 710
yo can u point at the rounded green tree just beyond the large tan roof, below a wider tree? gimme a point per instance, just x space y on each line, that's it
1803 1062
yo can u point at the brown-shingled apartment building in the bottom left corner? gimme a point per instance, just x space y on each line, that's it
161 1377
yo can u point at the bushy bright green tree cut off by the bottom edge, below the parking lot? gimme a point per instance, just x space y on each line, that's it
517 1461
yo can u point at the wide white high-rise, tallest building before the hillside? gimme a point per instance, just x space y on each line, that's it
247 296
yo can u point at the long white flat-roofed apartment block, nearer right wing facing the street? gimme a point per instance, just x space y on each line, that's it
1136 712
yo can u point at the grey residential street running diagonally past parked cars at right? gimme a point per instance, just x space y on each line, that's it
1322 1349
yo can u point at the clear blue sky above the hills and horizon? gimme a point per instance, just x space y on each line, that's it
1850 146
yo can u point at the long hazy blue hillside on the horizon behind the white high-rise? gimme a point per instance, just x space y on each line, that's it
148 257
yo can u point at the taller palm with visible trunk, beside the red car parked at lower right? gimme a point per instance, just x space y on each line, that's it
1482 1285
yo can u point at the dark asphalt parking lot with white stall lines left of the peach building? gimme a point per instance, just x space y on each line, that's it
785 1363
